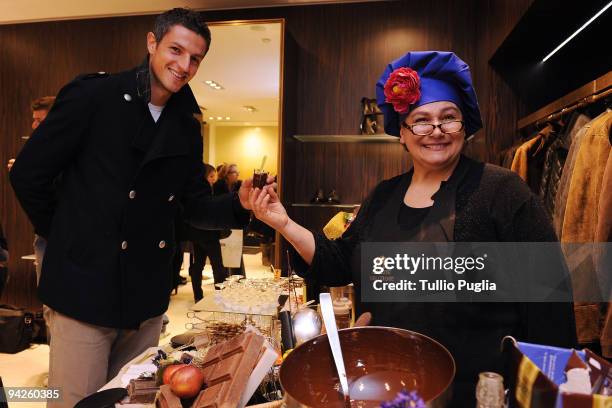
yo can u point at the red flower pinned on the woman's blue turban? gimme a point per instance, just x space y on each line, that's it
402 89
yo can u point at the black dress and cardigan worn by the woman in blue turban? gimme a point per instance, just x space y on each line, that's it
479 203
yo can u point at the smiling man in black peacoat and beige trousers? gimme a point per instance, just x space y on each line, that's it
130 152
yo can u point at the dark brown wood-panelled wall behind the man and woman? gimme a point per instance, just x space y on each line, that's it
335 55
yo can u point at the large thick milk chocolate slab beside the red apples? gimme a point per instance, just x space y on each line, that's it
227 368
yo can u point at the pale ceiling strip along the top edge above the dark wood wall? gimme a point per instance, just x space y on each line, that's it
27 11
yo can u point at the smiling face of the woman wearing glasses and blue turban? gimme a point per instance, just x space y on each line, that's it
436 150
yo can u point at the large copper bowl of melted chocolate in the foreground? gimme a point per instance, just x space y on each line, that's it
380 362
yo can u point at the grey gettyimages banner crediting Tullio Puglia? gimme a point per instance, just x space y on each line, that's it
486 272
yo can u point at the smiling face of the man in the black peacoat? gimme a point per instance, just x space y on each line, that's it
175 59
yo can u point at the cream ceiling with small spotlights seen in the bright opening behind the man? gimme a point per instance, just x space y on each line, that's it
245 61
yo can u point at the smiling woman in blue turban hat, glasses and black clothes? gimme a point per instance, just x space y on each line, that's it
429 102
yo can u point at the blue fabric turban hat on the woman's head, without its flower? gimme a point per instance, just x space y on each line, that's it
443 77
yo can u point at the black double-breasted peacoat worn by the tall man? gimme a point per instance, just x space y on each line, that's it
111 224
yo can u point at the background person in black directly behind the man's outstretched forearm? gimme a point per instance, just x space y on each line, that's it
205 245
